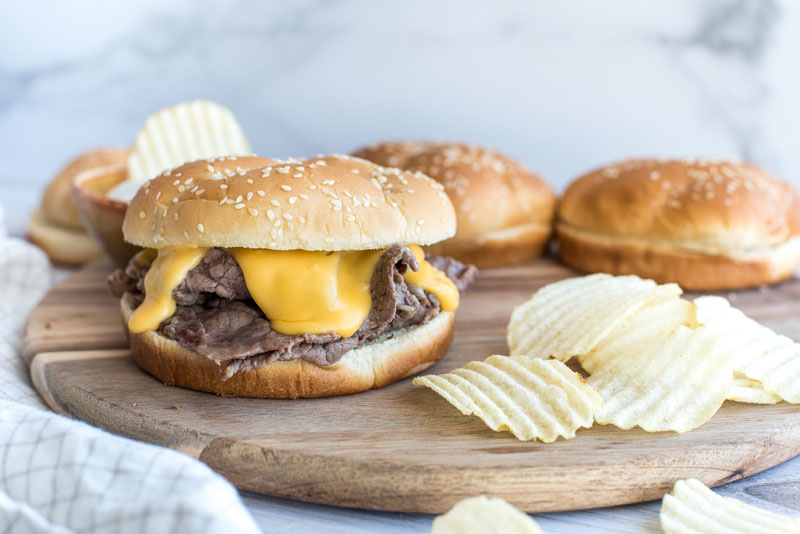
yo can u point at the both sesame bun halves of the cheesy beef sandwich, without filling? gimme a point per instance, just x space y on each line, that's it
327 203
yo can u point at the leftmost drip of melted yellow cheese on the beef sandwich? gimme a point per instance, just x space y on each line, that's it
166 273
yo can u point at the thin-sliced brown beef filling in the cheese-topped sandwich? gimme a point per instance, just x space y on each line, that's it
216 317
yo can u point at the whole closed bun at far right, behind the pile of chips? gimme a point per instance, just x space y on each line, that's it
707 225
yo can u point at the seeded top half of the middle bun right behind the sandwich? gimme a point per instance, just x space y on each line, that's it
490 191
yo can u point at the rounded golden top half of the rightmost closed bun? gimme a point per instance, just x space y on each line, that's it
710 207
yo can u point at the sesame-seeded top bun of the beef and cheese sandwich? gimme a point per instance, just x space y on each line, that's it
323 203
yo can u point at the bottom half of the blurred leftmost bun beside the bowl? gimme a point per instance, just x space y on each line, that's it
63 244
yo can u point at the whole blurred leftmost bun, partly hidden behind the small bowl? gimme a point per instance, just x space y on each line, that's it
56 226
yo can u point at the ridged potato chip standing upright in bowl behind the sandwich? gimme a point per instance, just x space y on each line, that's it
186 132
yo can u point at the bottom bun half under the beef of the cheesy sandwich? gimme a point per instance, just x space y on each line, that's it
373 365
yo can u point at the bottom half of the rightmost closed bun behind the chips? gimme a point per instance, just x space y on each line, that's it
592 252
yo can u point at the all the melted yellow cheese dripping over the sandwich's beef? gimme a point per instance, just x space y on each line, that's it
301 292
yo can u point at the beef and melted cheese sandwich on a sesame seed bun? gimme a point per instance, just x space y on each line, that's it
285 279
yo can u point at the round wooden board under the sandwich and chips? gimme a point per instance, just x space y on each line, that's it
401 448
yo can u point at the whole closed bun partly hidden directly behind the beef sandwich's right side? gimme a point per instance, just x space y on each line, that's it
504 211
